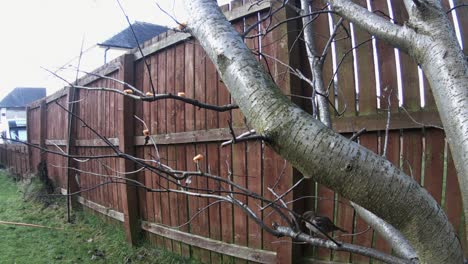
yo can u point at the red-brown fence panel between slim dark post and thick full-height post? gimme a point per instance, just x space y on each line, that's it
100 112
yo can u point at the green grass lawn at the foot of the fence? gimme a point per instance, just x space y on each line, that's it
89 240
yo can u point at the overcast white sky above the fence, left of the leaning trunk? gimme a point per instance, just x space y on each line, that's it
49 33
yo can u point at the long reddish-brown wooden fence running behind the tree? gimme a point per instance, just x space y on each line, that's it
223 233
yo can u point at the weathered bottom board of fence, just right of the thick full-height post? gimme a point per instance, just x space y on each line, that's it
256 255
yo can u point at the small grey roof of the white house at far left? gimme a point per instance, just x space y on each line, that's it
22 96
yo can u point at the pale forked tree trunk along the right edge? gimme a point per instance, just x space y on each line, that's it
430 40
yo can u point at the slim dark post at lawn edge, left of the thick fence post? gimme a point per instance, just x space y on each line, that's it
72 184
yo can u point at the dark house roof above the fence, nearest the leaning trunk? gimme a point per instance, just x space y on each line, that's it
125 39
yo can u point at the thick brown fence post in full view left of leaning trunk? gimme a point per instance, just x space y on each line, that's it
128 193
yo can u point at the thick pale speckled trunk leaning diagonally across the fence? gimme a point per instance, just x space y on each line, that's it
353 171
